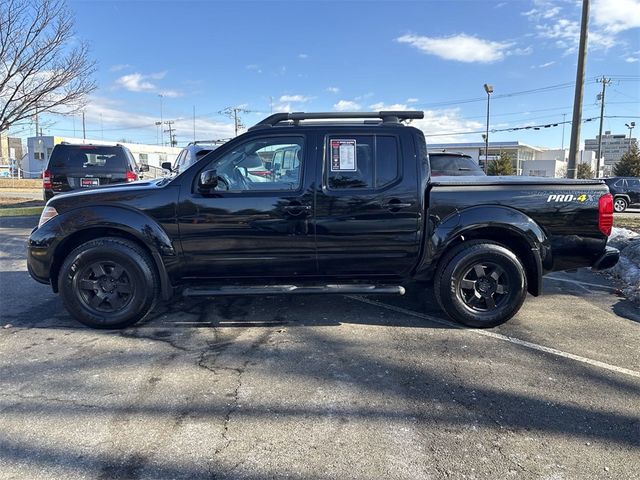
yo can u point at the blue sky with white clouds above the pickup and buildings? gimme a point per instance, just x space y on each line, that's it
364 55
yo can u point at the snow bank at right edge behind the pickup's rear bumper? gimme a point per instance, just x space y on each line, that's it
628 268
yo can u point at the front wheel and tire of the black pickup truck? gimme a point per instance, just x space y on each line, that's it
108 283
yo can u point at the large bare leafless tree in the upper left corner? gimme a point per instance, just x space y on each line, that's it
43 68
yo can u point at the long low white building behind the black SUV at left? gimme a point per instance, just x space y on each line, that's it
40 148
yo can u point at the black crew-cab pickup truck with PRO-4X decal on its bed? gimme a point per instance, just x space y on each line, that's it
348 206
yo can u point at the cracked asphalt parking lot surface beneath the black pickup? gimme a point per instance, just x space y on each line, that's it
319 387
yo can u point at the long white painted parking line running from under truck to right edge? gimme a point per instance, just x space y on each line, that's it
499 336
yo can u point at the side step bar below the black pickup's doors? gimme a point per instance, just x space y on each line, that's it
293 290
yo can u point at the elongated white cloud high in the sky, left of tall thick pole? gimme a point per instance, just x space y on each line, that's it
461 47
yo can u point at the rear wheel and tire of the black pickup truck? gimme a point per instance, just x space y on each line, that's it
480 284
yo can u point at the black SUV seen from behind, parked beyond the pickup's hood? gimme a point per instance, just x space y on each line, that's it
73 167
